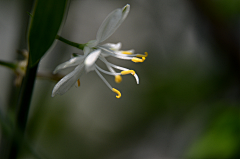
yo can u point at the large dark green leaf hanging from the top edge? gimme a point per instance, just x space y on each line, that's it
44 26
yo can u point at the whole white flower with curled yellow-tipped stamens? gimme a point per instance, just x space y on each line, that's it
93 51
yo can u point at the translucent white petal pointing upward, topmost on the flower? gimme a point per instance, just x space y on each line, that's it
109 25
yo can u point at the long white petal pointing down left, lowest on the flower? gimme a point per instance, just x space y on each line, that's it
68 81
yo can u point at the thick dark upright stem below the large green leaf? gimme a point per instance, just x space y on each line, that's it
24 102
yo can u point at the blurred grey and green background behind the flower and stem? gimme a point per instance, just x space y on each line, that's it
187 104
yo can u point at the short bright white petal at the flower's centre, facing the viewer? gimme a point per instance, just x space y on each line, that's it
91 59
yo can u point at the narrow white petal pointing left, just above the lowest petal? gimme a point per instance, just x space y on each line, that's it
72 62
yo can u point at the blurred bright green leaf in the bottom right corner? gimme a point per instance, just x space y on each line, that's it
221 139
